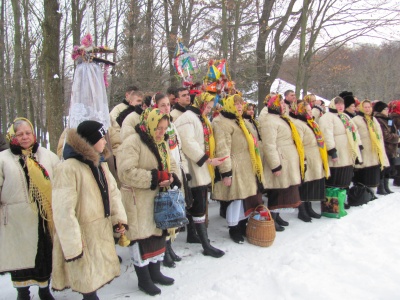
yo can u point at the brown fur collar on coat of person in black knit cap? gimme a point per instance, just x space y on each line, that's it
77 147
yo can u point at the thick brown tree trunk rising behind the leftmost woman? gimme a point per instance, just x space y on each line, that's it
51 63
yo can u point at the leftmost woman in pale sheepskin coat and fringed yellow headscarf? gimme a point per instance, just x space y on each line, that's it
26 223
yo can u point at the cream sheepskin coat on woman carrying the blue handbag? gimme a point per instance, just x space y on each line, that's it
138 164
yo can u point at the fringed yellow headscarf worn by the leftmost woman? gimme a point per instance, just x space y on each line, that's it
39 181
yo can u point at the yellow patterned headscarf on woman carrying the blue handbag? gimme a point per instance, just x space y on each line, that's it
149 123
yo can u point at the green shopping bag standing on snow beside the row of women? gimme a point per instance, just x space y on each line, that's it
333 206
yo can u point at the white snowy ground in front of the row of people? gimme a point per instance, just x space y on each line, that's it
356 257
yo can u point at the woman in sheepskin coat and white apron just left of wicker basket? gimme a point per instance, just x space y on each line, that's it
241 179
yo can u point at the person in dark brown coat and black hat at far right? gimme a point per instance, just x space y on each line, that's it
391 139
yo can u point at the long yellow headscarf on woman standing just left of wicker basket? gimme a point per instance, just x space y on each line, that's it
229 106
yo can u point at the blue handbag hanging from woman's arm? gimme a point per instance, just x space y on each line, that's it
169 210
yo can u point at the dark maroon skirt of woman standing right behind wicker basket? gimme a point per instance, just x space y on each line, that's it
284 198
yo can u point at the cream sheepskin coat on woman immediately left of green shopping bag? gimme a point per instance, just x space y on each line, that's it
315 169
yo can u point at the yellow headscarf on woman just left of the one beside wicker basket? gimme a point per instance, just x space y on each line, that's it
200 102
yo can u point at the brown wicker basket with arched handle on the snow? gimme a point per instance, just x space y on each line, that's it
260 232
